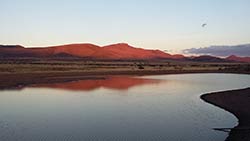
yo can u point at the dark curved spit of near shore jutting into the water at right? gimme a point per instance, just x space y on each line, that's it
236 102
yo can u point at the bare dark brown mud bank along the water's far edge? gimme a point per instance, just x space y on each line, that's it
19 80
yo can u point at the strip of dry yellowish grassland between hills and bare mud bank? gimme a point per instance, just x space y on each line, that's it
49 66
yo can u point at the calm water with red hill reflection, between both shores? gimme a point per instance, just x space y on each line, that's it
164 107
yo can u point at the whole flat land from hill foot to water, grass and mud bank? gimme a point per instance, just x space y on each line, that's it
17 73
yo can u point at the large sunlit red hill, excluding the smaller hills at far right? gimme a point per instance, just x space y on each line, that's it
115 51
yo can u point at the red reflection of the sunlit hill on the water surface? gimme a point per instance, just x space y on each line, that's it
117 83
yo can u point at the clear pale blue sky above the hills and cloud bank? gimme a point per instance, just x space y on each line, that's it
170 25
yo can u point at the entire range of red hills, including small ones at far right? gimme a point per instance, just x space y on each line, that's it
121 51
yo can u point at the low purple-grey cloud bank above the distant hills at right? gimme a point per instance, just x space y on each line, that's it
239 50
